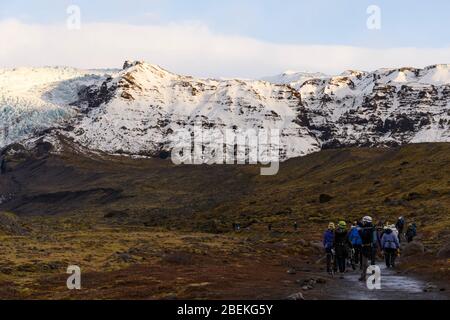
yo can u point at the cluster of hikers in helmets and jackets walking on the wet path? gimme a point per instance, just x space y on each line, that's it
360 244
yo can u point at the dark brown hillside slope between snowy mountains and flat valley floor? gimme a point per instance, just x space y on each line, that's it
348 183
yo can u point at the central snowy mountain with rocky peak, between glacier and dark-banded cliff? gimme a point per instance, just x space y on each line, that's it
138 111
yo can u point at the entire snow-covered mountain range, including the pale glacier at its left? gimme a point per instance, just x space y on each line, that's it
136 110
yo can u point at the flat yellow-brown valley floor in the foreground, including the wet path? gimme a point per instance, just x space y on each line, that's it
141 263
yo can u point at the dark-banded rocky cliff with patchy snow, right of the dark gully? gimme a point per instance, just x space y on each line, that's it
386 107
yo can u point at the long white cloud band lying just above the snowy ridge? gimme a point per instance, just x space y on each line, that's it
190 48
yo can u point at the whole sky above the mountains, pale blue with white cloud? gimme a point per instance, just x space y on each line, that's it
232 38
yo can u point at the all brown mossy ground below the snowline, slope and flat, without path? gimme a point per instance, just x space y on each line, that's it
147 229
